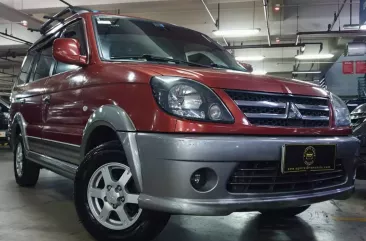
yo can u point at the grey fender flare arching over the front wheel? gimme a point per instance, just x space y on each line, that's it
117 119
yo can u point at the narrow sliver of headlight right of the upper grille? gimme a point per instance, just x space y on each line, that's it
341 112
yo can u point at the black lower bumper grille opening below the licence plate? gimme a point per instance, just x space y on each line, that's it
266 177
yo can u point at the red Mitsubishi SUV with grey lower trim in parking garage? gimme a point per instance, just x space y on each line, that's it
151 119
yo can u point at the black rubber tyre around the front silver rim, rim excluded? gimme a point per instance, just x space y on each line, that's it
94 160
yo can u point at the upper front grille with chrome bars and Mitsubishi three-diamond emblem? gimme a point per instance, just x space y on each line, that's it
268 109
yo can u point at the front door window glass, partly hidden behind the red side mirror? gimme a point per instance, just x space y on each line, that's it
76 31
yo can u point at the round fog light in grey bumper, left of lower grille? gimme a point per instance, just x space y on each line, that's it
204 179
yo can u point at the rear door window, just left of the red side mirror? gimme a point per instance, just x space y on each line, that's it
44 64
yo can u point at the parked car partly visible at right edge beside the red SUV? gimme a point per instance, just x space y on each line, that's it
358 117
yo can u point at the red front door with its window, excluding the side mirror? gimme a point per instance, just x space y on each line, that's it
63 127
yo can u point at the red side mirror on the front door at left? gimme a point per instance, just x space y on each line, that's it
67 50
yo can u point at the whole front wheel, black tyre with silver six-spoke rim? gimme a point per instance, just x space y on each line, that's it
106 199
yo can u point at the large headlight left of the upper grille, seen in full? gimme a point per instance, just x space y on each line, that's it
189 99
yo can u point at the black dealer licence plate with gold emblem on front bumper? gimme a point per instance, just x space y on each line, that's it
304 158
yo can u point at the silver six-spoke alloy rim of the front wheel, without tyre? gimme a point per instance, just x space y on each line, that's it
112 197
